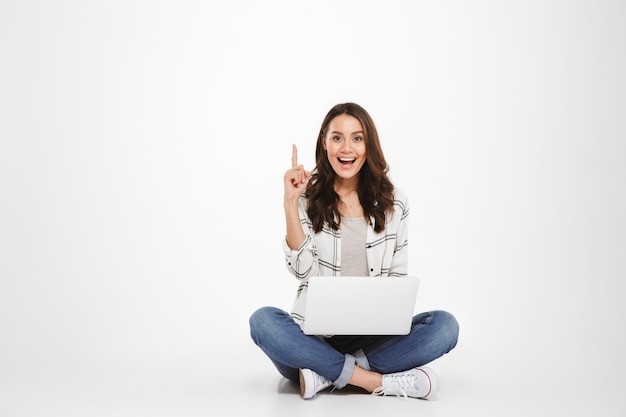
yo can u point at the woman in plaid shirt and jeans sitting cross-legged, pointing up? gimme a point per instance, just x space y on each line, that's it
346 218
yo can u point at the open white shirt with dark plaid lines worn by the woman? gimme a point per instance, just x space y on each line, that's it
320 253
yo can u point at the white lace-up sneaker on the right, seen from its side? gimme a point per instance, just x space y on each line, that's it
417 383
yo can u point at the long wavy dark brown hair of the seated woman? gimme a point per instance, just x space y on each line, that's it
374 188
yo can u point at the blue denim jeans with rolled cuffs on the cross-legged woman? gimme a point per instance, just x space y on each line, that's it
432 335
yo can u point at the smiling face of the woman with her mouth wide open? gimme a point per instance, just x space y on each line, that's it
345 145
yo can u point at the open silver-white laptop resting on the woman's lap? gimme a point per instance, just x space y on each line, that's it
360 305
